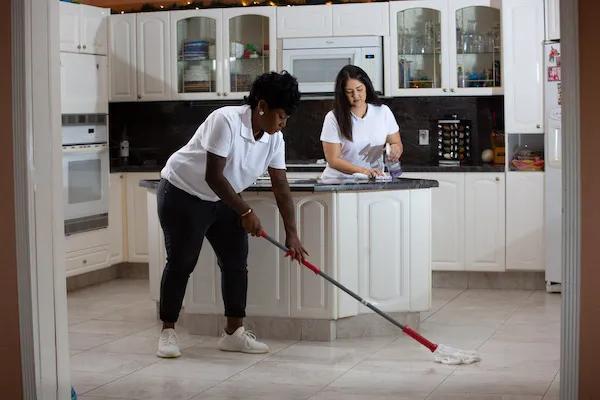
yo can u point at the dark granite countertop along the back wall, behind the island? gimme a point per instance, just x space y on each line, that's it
318 168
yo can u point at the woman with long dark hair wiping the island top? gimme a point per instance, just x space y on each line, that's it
356 131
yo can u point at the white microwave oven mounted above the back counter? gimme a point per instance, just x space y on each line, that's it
315 62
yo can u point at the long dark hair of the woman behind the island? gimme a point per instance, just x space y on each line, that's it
341 105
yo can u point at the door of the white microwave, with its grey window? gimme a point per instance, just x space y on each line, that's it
317 69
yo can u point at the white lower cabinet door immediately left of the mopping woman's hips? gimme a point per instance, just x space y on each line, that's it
137 216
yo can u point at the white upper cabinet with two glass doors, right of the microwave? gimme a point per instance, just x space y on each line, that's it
446 48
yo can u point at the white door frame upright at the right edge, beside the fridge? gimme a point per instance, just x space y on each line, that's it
571 221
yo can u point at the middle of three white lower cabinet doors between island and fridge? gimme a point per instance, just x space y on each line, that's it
485 221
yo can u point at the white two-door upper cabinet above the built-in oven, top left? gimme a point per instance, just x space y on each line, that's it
83 29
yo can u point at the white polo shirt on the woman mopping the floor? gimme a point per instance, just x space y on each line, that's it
227 132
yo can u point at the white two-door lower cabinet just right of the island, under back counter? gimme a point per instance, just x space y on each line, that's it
468 221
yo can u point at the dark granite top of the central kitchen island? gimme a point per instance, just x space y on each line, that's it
317 185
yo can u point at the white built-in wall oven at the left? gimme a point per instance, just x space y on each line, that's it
85 155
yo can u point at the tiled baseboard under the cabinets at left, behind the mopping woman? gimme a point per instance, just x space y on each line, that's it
122 270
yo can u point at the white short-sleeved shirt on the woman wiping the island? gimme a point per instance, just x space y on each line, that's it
369 135
